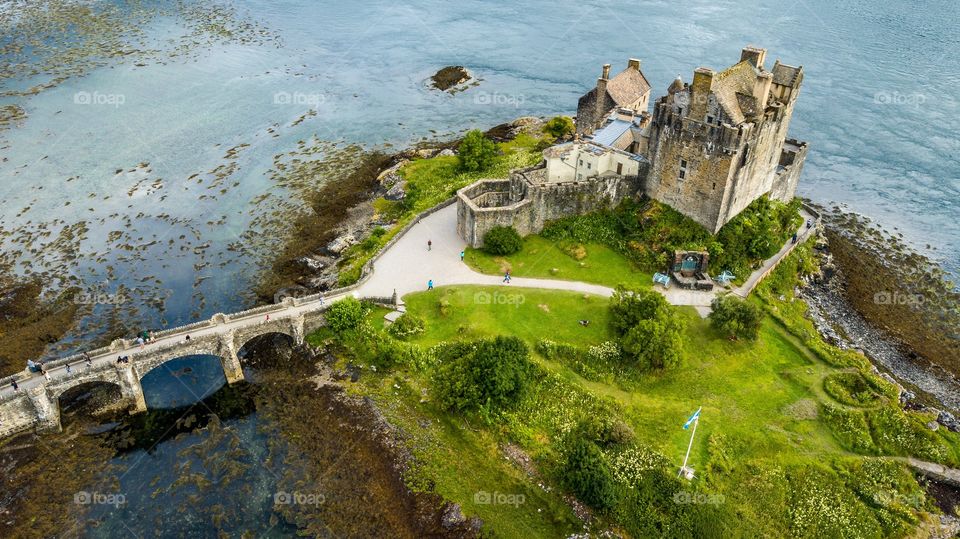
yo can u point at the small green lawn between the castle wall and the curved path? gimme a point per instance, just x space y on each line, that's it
590 263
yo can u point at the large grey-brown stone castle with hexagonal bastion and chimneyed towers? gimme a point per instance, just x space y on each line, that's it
708 149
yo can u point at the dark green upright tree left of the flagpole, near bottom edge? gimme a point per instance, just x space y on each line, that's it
587 474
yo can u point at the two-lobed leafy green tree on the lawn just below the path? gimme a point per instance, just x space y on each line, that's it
649 329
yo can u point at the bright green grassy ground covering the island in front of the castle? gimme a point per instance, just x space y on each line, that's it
790 458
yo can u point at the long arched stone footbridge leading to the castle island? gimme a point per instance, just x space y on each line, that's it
36 404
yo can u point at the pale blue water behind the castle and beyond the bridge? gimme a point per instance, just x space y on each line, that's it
878 107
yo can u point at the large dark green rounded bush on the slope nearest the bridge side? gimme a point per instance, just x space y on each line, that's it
487 374
